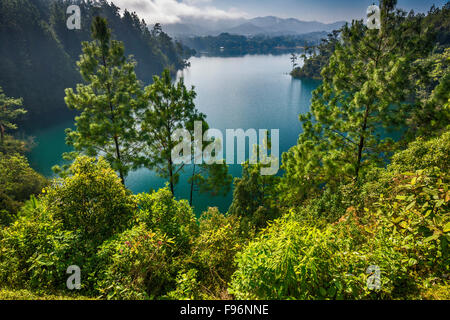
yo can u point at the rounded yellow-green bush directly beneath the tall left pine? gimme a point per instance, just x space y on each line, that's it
92 200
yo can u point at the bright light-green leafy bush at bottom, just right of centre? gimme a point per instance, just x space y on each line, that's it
293 261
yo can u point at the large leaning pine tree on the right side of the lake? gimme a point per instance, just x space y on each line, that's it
367 89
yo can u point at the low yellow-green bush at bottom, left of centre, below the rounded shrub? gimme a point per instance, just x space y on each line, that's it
136 264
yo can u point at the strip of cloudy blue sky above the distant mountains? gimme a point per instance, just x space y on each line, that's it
172 11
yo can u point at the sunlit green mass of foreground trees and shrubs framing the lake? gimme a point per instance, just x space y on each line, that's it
355 214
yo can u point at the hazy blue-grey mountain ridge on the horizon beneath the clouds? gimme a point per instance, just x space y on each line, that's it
269 25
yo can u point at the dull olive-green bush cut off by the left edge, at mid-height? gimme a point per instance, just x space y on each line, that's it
18 183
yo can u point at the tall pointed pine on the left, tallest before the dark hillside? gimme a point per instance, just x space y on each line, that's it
110 102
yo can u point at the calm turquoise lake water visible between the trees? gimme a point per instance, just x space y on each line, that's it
236 92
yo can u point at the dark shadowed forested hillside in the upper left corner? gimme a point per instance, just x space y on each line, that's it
38 52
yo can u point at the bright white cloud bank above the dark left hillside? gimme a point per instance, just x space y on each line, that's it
172 11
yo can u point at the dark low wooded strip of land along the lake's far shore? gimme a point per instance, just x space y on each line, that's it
229 44
